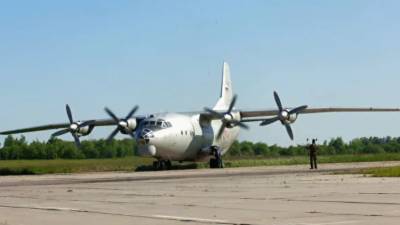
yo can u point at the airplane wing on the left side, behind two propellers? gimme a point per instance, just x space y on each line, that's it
97 123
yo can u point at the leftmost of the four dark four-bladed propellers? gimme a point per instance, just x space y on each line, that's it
73 128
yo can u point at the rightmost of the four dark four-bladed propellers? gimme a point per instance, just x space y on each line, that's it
283 115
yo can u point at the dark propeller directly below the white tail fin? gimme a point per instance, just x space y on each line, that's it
227 118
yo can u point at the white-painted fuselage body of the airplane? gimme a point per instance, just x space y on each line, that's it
187 136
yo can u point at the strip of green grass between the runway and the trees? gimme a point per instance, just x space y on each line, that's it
27 167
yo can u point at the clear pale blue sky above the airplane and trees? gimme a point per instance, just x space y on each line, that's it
167 56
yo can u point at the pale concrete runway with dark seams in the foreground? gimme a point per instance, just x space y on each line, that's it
263 195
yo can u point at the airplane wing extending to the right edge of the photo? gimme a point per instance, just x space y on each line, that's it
253 116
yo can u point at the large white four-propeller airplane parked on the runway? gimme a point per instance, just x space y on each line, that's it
192 136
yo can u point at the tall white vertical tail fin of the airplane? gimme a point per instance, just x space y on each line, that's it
226 89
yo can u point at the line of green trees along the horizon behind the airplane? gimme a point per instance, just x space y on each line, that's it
18 148
